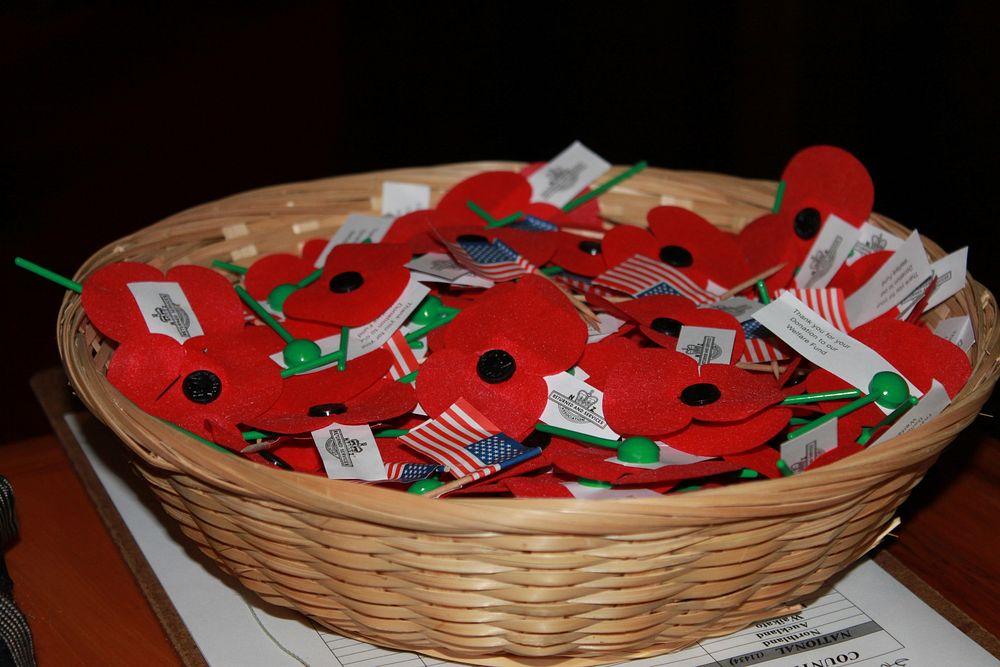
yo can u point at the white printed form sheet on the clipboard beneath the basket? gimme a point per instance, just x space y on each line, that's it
868 619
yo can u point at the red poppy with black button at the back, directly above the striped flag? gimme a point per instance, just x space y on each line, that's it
683 239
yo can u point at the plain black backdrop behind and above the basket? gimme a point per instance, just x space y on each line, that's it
118 117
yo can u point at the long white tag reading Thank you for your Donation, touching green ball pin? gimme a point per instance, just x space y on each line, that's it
815 339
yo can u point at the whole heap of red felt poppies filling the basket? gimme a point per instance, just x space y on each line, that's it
257 391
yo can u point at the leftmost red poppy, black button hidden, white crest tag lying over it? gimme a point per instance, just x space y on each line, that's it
112 307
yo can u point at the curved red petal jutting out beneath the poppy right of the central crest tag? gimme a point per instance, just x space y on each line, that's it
722 438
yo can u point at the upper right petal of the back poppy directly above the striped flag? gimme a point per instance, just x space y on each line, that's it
715 253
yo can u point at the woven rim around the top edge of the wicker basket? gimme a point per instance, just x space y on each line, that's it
314 493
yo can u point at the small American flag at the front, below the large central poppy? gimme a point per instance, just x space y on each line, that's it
466 442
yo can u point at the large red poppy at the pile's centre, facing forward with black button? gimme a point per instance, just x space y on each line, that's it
497 351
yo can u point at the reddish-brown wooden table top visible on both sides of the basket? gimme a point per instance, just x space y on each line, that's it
86 608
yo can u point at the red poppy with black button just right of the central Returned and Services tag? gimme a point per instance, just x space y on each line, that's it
658 391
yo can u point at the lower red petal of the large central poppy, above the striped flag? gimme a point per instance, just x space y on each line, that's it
449 374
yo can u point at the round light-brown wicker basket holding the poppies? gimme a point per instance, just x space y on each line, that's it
498 580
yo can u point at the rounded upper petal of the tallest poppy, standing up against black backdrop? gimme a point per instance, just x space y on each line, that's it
831 180
